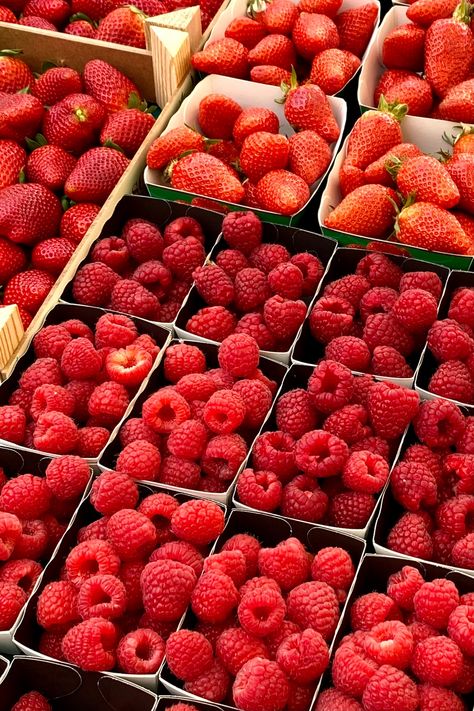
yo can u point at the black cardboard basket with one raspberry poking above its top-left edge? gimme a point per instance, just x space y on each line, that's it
296 241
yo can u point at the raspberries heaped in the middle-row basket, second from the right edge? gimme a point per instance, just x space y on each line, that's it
331 451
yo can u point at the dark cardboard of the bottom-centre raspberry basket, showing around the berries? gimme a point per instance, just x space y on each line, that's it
271 530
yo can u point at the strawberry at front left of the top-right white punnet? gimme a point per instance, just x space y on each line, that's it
400 86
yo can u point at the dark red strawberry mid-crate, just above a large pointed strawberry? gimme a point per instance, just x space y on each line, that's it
74 122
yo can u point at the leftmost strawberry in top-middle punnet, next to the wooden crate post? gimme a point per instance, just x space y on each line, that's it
225 56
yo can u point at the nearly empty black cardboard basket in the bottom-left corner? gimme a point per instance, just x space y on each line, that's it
69 689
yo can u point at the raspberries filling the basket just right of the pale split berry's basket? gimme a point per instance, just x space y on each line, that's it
195 432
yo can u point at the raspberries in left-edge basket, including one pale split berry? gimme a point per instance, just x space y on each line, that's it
79 387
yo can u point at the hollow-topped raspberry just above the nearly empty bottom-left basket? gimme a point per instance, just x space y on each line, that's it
140 652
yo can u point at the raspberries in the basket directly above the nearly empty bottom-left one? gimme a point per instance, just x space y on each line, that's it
129 579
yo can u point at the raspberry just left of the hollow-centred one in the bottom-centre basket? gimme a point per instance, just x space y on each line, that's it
214 597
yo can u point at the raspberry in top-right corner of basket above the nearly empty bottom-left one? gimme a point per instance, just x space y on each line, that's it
198 521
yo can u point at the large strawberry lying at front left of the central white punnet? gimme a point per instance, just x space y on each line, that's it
208 176
